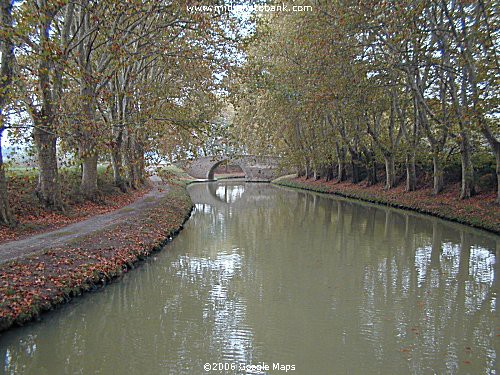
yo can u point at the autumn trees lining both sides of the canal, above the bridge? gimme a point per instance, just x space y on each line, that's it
340 89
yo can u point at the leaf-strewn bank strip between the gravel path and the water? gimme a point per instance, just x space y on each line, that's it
24 303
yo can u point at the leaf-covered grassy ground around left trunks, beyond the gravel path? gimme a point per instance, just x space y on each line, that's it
33 218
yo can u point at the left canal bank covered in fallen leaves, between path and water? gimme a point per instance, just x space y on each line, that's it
48 277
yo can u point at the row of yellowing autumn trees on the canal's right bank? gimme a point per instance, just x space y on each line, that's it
355 84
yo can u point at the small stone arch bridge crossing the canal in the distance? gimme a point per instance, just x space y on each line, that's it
256 168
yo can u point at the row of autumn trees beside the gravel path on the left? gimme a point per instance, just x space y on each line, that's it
107 79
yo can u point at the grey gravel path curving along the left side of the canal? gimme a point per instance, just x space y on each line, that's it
20 248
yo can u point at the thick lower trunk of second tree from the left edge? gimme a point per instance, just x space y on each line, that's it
49 187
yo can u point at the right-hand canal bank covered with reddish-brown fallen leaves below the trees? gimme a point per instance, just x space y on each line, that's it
479 211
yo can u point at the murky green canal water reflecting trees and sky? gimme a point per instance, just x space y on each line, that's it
265 279
